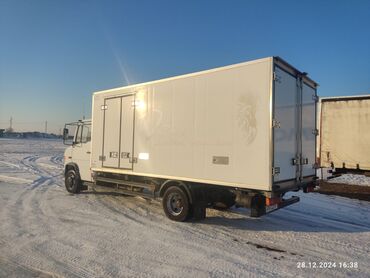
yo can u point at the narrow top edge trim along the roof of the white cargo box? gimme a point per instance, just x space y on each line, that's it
279 61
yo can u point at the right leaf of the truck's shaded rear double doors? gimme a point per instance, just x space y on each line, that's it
308 126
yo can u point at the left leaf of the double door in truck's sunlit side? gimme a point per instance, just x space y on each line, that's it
111 132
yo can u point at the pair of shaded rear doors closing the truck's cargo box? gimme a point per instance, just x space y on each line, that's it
294 127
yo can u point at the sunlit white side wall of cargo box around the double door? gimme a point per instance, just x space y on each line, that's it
213 126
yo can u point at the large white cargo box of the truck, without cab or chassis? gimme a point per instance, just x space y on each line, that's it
250 125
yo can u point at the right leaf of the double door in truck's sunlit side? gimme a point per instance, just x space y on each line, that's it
127 130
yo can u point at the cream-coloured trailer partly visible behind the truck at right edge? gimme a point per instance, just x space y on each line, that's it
344 141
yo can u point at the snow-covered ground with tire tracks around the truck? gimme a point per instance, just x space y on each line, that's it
46 231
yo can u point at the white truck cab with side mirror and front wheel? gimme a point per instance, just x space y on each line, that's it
77 156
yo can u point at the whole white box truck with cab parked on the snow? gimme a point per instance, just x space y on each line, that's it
243 134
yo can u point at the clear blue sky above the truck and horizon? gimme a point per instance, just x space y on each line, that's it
54 54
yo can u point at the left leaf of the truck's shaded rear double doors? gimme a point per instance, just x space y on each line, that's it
285 136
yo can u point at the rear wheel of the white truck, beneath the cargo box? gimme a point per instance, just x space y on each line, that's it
176 204
